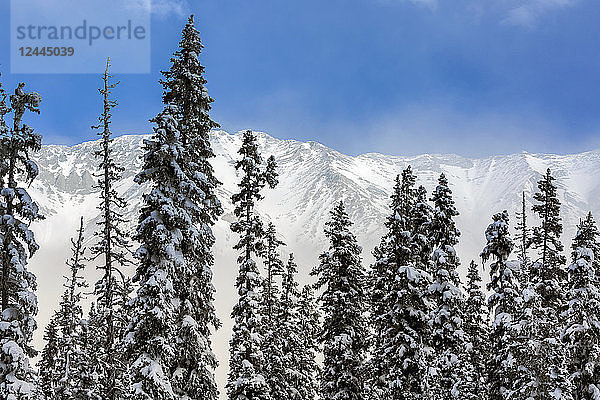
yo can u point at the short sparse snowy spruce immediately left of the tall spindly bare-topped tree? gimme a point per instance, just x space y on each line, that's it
63 359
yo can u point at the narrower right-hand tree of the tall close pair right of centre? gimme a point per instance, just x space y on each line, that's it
446 320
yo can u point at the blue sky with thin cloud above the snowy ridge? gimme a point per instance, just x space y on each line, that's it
472 77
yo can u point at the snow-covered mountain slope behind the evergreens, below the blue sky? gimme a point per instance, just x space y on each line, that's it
312 178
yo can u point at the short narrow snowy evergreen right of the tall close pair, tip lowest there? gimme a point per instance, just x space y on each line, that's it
475 326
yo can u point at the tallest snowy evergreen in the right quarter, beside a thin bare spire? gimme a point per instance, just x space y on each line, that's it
548 283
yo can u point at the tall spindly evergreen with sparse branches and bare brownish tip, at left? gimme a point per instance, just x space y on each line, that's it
112 247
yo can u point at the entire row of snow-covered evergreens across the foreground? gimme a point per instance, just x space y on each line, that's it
406 328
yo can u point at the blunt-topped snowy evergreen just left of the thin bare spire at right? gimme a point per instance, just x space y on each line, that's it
505 358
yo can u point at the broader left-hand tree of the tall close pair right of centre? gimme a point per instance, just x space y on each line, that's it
400 310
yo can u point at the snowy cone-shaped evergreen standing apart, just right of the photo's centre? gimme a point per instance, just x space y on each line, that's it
344 332
